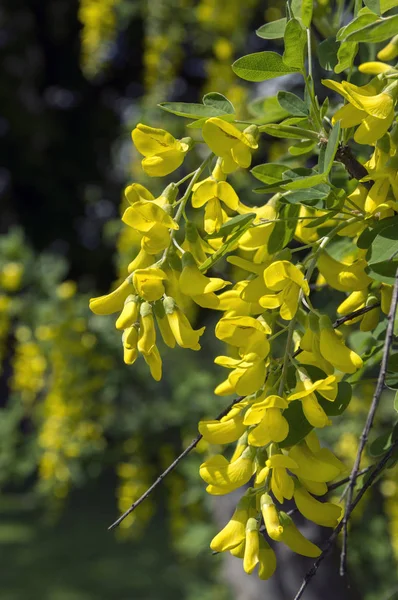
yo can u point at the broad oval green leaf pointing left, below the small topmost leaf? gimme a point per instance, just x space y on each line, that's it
261 66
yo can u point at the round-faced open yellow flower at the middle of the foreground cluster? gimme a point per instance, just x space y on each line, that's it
286 279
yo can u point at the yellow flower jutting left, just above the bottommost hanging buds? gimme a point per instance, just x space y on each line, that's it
225 476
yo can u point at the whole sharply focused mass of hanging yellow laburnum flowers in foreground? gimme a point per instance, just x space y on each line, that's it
285 391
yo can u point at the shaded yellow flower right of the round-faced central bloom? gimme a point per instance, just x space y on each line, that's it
341 276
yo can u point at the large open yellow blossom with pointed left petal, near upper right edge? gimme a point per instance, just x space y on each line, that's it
370 106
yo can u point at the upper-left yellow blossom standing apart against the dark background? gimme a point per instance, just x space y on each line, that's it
163 153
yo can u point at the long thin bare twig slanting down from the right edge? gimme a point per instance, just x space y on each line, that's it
369 421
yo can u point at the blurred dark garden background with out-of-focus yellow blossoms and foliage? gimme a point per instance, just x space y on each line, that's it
81 434
